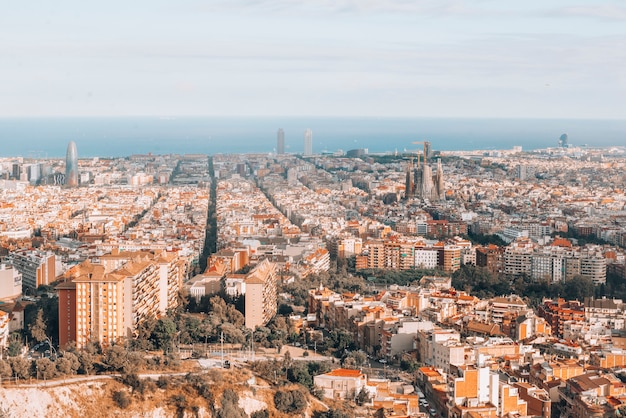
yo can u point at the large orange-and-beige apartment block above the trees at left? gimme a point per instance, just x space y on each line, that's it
106 302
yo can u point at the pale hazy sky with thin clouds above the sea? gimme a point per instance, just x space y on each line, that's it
481 58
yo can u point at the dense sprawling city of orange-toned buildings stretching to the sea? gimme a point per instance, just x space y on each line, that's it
419 283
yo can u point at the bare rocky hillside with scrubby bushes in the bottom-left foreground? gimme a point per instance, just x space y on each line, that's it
194 395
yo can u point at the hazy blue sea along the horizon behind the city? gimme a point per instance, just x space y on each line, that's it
123 136
